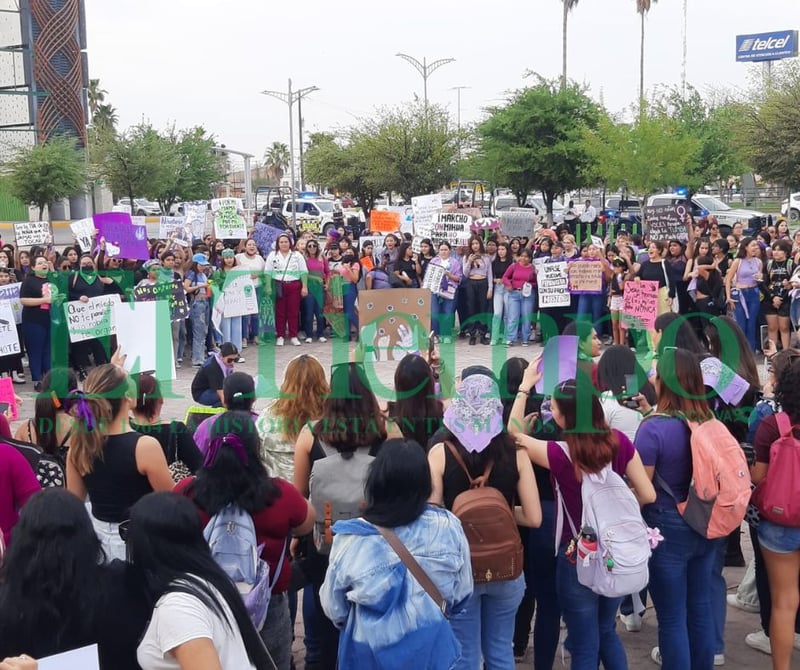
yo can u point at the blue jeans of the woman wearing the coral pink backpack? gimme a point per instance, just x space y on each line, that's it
680 574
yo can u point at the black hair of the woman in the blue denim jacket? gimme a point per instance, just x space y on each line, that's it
398 485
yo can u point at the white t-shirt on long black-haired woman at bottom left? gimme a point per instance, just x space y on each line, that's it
179 618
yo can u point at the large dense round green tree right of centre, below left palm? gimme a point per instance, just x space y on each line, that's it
538 140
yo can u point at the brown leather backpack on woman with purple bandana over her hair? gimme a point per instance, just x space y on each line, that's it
494 543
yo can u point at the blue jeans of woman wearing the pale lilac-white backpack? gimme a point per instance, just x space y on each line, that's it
591 621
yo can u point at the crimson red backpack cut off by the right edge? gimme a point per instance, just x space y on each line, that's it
776 495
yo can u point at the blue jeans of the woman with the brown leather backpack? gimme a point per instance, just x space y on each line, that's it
485 627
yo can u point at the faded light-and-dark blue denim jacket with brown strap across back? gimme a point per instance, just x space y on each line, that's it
388 619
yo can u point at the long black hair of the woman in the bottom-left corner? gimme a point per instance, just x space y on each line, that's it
50 576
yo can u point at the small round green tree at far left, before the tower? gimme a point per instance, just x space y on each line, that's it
42 174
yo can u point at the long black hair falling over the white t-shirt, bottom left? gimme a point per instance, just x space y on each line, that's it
166 545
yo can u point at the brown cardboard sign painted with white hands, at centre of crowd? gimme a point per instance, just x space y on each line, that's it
394 323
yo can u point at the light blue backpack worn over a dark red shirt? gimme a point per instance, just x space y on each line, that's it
231 536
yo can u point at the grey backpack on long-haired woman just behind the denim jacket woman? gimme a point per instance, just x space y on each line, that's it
336 490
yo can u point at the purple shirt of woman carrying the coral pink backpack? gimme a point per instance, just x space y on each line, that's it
663 443
